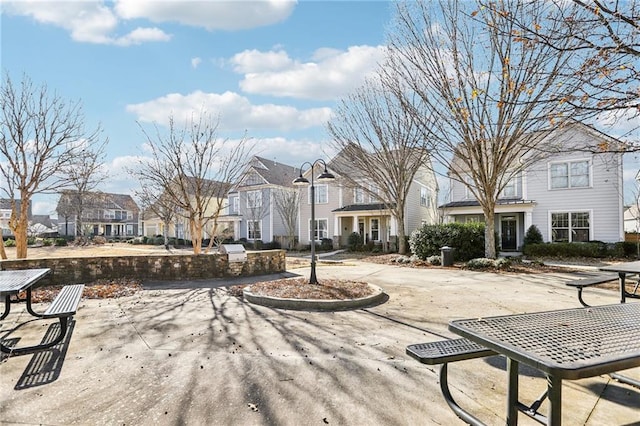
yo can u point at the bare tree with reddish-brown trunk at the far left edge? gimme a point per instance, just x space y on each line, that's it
42 136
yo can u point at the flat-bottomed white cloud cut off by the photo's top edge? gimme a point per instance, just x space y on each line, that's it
212 15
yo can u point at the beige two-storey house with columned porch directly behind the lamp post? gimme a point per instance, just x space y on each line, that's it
342 209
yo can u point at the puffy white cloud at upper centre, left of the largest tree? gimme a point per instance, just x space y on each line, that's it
333 74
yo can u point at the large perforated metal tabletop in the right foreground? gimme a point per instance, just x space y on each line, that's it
568 344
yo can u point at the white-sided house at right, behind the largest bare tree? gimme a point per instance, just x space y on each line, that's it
573 195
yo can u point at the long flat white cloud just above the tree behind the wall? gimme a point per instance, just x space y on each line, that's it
235 111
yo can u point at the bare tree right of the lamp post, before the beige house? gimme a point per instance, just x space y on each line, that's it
380 143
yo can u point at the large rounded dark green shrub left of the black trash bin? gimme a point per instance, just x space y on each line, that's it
466 238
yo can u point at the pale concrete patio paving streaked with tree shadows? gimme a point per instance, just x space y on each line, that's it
191 354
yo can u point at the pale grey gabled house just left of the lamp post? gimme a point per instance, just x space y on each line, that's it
253 204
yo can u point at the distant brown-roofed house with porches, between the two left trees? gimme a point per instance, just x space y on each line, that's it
105 214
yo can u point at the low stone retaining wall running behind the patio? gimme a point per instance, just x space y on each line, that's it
80 270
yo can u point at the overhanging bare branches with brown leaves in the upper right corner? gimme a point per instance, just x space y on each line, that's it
604 37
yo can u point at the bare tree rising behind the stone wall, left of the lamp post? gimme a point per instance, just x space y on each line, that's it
194 169
